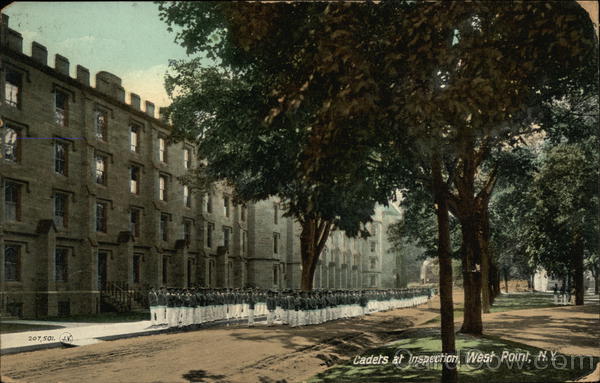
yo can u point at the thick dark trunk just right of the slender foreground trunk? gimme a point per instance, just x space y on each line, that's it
472 322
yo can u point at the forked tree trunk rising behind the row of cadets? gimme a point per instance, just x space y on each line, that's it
312 240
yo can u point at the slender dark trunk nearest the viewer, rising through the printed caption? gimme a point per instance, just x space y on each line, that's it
449 372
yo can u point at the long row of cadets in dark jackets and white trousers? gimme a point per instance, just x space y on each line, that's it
183 308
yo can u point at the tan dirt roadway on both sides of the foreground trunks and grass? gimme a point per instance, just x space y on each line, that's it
276 354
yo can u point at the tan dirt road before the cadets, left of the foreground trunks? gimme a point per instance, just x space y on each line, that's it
232 354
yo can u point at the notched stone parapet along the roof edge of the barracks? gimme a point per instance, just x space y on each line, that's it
106 82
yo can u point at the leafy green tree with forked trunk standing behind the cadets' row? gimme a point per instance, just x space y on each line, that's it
233 110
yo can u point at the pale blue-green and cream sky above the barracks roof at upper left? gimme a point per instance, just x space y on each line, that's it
127 39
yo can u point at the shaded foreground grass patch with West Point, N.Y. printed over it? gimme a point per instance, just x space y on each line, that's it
421 342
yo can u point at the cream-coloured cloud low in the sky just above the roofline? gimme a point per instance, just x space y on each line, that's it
148 83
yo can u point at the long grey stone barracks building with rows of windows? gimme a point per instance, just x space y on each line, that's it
92 212
